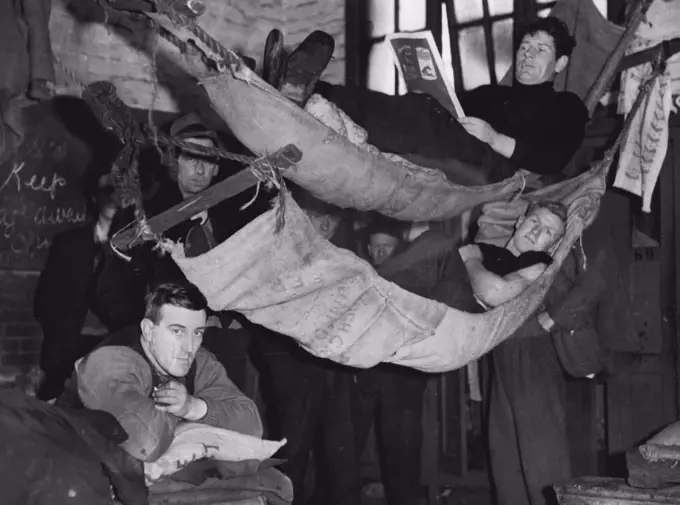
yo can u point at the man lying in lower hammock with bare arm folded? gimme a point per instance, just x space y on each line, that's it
499 274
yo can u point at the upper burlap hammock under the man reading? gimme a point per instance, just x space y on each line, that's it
338 166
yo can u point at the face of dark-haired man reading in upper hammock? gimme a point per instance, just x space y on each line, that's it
536 61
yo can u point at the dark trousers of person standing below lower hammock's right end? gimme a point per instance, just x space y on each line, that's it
528 441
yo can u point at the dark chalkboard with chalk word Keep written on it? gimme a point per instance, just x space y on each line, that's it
41 190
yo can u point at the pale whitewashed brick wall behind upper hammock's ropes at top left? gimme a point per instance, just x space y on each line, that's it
95 51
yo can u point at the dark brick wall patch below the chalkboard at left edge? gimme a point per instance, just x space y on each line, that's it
20 334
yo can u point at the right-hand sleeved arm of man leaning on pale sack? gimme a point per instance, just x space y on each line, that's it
227 406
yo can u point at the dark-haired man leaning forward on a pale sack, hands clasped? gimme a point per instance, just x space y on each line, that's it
155 376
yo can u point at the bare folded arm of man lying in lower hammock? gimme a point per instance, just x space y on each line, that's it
493 289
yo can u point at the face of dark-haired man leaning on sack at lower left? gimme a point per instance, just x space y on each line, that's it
175 340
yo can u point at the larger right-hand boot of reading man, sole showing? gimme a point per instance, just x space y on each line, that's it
306 65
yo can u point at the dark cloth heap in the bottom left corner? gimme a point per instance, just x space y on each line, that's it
57 456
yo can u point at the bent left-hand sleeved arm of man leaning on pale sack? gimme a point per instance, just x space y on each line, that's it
117 380
